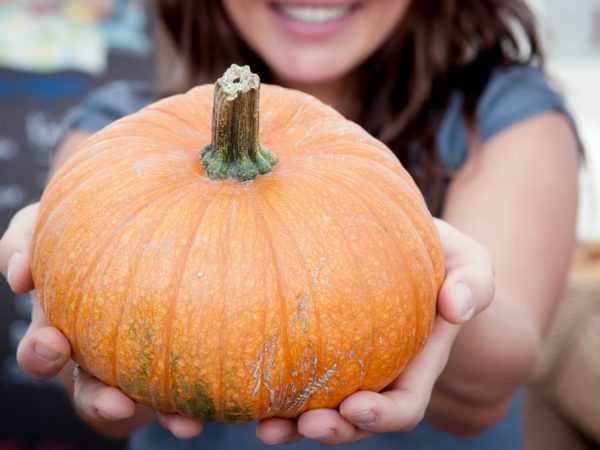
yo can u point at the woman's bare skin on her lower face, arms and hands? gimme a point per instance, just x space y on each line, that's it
506 197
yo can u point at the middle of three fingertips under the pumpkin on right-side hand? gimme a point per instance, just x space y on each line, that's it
328 427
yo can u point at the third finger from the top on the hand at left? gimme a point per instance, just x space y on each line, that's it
99 401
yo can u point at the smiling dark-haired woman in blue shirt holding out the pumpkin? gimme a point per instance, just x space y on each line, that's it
456 90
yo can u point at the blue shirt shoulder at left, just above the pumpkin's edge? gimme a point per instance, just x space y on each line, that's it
107 104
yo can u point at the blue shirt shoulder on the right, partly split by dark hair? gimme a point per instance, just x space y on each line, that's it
512 95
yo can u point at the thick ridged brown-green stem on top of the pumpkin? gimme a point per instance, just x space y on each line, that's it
235 152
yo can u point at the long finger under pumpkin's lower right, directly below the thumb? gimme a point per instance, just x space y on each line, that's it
402 407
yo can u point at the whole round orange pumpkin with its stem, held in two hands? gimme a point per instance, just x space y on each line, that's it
228 271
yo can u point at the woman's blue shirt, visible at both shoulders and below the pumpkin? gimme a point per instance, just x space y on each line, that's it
512 95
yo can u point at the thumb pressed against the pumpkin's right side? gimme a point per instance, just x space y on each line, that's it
469 285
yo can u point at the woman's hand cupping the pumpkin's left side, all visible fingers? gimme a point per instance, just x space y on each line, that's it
44 351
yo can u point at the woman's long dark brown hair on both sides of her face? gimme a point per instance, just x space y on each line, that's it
439 48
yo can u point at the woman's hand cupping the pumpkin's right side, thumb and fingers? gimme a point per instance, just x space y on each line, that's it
467 290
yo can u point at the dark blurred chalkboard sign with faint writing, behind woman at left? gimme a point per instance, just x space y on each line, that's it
38 415
